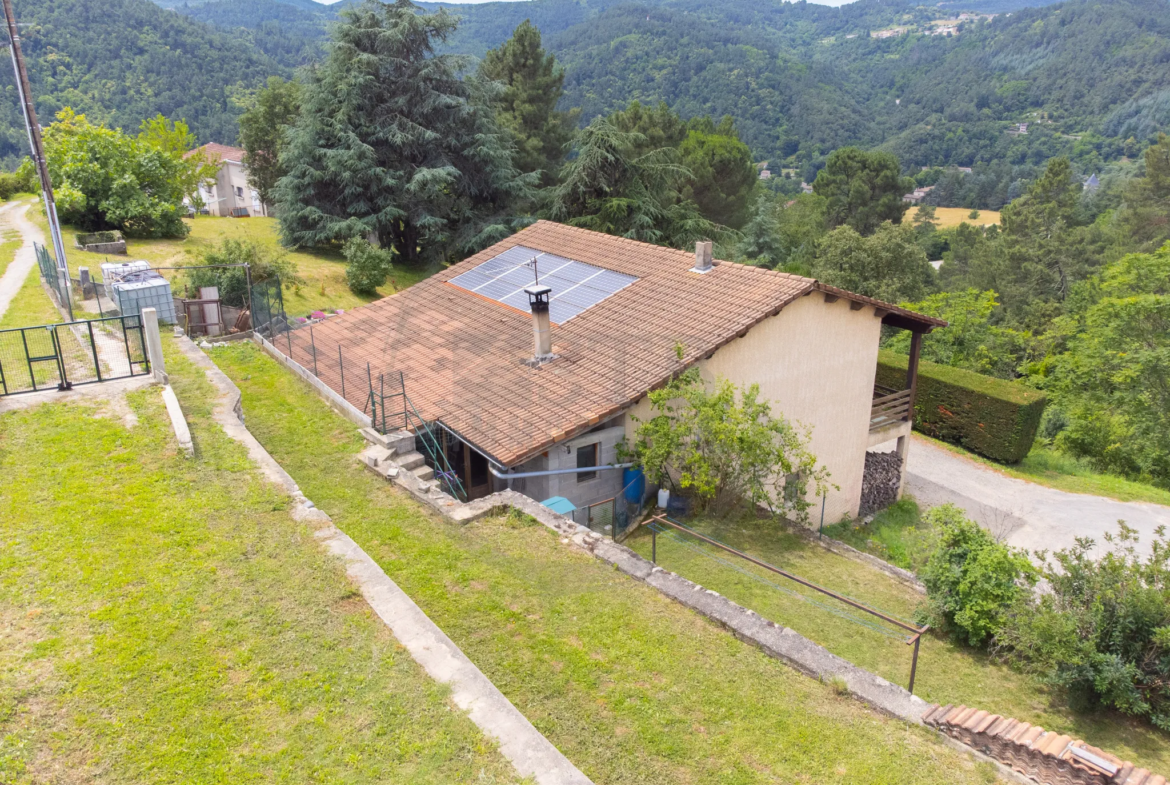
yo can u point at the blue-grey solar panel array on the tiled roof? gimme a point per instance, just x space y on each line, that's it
576 286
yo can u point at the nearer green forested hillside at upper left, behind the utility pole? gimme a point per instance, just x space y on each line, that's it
121 61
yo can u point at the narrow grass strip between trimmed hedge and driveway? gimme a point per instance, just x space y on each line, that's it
1048 467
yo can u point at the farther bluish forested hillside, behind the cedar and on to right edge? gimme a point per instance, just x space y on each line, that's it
802 79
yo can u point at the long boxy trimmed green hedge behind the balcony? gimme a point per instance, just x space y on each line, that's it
992 417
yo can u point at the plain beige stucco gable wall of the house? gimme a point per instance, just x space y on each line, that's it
815 363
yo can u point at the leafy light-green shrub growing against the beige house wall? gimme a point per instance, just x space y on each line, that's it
725 446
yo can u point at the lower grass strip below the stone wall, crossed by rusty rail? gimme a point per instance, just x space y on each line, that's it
948 673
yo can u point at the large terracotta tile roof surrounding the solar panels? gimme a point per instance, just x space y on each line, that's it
462 354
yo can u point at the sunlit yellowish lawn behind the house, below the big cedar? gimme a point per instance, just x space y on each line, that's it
325 273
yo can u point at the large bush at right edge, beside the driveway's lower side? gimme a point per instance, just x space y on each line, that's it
1103 633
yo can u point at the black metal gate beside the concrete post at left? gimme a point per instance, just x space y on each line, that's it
60 356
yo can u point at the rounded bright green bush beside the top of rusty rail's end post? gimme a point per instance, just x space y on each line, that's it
972 580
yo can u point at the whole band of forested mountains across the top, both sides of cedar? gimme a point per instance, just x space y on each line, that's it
800 79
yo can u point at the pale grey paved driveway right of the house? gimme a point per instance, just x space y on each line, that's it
1024 514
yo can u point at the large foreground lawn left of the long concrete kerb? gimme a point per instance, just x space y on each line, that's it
163 619
